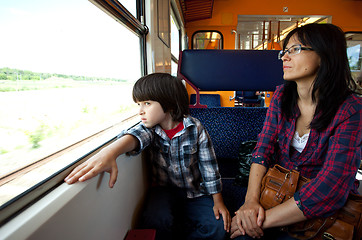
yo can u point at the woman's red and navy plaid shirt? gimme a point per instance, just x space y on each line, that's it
331 158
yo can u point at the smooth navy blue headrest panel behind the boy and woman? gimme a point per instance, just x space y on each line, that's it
230 70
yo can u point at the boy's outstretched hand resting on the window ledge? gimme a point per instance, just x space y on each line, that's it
100 162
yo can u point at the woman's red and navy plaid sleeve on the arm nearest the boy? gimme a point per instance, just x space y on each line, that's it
268 137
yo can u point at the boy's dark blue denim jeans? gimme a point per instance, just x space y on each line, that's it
176 217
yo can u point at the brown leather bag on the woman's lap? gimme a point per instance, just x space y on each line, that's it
280 184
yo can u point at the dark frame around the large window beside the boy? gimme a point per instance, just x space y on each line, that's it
114 9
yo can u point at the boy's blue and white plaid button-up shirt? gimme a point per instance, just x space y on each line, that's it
186 161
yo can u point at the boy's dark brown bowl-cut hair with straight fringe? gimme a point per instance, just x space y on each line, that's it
165 89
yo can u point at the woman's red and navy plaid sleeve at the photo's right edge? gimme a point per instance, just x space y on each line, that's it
329 190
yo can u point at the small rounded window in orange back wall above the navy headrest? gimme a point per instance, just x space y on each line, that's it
207 40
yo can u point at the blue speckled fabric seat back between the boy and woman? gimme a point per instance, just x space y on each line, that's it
228 127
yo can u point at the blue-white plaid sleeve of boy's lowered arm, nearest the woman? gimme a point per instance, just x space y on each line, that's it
208 163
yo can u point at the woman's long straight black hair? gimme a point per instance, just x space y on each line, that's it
333 82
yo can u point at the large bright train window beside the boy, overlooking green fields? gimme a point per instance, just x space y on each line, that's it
66 73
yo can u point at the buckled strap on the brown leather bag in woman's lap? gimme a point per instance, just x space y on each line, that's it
288 187
